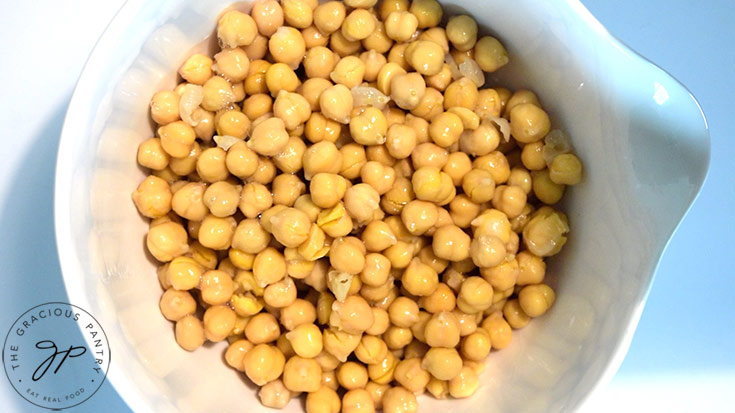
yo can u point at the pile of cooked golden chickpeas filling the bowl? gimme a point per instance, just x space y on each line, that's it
359 254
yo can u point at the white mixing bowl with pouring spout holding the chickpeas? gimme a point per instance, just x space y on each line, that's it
642 137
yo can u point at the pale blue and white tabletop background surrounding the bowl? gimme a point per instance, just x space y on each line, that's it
682 350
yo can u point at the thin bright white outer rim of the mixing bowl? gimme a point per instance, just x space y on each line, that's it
78 114
